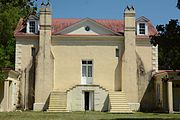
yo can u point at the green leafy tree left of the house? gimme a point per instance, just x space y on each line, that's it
10 13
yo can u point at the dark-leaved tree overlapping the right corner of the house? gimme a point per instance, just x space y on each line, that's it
168 41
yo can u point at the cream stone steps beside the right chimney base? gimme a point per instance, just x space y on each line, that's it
118 102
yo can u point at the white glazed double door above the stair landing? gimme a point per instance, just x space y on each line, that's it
87 67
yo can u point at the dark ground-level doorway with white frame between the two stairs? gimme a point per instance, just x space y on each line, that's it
88 101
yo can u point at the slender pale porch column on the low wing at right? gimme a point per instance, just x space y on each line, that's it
170 96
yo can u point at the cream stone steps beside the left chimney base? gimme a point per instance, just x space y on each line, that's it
58 102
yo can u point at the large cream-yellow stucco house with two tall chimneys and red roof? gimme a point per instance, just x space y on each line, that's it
85 64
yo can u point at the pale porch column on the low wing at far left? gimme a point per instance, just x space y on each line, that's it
6 95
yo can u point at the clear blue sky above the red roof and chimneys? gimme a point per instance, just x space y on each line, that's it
158 11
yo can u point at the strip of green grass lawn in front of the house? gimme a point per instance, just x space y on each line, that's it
85 116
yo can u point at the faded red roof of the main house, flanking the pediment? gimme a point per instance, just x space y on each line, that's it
59 24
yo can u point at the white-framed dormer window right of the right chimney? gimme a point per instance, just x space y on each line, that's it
142 29
